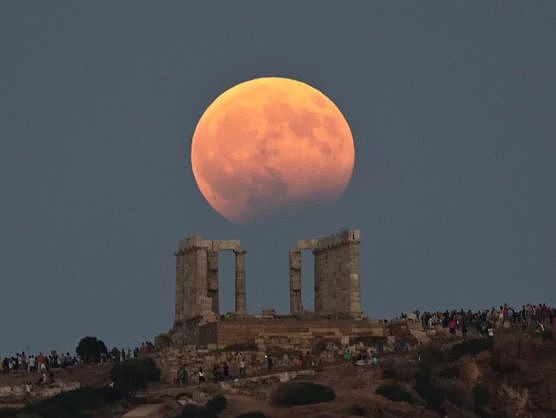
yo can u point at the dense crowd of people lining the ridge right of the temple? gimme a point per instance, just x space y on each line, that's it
485 321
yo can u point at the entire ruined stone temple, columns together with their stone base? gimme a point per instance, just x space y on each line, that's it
202 334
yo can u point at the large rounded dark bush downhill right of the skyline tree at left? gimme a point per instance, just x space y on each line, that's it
130 375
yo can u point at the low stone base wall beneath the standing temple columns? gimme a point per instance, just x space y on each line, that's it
285 338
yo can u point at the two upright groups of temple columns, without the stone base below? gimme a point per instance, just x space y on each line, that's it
336 277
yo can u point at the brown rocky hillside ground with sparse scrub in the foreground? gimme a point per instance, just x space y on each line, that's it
513 375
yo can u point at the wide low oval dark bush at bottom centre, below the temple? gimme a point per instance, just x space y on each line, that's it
302 393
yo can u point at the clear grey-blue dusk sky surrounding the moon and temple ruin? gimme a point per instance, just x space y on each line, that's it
451 105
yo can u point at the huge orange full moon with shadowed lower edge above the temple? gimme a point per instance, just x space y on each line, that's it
270 143
